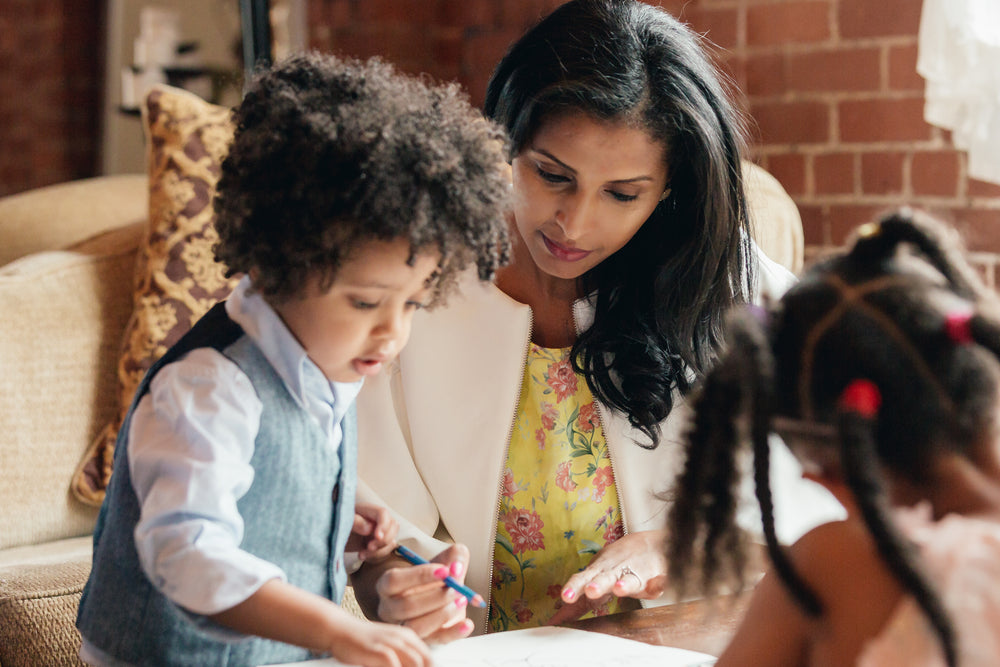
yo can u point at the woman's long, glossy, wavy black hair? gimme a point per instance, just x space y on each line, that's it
660 299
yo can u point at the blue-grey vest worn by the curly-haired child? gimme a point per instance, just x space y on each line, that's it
298 514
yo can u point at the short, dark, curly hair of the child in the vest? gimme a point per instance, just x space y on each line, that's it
329 152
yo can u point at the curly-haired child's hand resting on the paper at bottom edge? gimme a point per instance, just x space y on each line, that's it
379 645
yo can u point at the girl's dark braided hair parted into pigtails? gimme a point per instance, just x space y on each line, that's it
877 312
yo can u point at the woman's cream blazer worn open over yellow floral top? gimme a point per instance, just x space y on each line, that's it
434 428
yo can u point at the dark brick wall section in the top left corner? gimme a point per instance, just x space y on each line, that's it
49 91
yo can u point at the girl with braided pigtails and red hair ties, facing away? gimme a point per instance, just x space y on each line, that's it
881 371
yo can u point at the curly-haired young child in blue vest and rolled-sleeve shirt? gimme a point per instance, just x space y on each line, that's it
351 197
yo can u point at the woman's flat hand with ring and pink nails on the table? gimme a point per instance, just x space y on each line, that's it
633 566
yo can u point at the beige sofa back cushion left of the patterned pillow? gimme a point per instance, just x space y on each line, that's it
63 314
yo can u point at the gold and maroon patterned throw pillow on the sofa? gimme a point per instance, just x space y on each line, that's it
177 279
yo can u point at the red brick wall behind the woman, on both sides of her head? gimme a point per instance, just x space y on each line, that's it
831 86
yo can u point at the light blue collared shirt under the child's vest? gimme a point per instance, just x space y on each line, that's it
189 449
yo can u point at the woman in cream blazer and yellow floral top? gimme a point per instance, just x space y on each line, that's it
533 421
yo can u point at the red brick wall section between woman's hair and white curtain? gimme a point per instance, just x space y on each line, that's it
838 105
